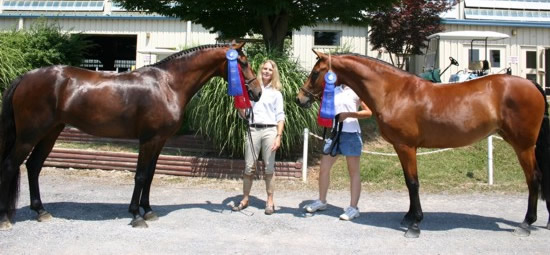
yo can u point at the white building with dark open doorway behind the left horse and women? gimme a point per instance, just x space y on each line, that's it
132 38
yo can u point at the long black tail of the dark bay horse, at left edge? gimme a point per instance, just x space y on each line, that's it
7 141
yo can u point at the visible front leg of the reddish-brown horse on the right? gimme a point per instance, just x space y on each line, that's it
407 157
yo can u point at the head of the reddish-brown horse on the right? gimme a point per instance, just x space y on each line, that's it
313 87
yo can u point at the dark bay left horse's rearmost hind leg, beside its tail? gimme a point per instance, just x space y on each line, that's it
9 187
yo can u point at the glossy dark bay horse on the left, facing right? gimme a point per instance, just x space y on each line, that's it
145 104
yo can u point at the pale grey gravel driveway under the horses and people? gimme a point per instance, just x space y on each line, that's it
90 209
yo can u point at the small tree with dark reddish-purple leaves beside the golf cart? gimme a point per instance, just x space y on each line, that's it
402 30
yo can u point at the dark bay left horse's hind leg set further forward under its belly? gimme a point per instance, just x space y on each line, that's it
34 166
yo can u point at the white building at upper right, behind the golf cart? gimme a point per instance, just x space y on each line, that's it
526 51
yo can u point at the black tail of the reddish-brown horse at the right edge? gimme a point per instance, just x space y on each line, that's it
542 151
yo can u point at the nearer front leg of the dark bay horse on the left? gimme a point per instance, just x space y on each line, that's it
148 152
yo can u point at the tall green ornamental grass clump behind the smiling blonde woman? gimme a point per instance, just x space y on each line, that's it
213 115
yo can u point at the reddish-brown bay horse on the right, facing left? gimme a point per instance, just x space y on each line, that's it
412 112
